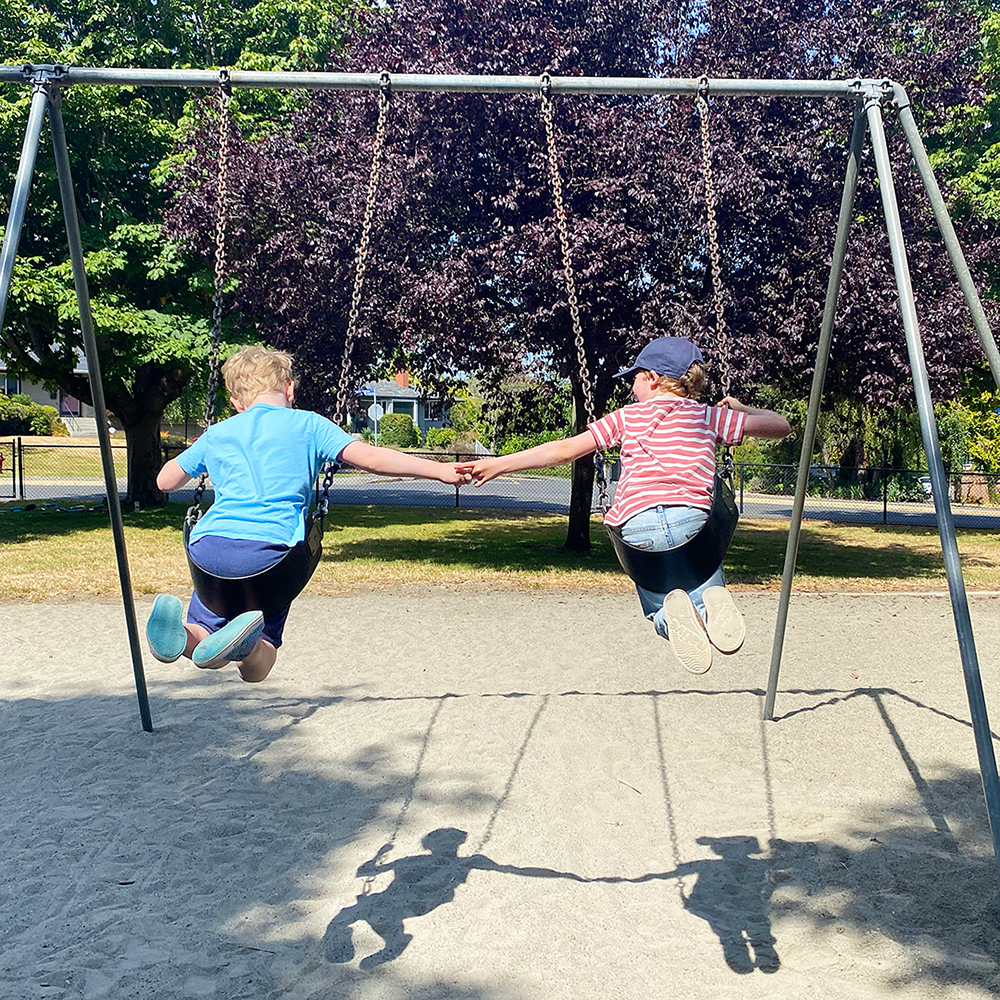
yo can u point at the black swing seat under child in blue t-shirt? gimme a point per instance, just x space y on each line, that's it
271 589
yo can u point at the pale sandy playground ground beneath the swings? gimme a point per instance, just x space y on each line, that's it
568 813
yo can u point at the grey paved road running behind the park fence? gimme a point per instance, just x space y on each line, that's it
550 493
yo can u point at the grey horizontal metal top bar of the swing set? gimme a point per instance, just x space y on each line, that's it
70 75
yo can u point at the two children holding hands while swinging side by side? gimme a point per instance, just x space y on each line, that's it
264 461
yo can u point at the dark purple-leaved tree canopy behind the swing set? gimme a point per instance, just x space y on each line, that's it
468 269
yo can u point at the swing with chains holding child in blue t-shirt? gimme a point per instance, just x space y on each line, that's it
278 585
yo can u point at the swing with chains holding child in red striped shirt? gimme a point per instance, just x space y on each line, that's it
693 562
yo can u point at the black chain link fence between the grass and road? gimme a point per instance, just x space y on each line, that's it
67 472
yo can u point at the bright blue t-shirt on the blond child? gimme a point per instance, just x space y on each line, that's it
263 463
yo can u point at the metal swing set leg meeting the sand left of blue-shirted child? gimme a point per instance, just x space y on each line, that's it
97 392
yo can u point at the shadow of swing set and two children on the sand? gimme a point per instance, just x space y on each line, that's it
731 890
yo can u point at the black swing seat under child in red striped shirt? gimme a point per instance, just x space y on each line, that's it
690 564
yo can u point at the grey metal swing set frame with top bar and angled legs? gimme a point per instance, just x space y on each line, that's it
868 97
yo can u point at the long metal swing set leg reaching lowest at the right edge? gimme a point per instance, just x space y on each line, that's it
939 482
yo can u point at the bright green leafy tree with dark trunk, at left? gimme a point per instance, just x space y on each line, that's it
150 299
